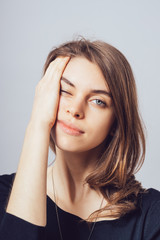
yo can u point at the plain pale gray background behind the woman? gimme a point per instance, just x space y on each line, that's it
29 29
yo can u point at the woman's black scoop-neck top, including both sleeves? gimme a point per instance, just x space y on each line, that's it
143 223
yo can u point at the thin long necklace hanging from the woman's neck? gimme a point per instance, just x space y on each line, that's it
58 220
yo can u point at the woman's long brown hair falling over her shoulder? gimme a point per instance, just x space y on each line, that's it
124 149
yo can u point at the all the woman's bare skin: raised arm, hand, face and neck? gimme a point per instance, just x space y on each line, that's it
74 159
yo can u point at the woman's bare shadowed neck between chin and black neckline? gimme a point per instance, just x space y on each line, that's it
70 171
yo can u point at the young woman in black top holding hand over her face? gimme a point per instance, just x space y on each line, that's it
86 110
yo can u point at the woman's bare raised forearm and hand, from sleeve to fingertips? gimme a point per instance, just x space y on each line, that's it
28 195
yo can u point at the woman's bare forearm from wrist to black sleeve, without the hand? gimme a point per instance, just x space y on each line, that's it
28 195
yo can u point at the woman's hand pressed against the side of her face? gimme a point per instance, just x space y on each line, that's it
47 94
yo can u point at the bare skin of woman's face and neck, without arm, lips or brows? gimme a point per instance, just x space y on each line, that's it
76 155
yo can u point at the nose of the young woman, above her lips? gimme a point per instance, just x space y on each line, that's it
76 110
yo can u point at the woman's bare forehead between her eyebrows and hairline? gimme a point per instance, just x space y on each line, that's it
83 73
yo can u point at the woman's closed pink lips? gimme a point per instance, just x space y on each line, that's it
70 128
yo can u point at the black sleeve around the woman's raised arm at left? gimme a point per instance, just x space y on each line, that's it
11 226
